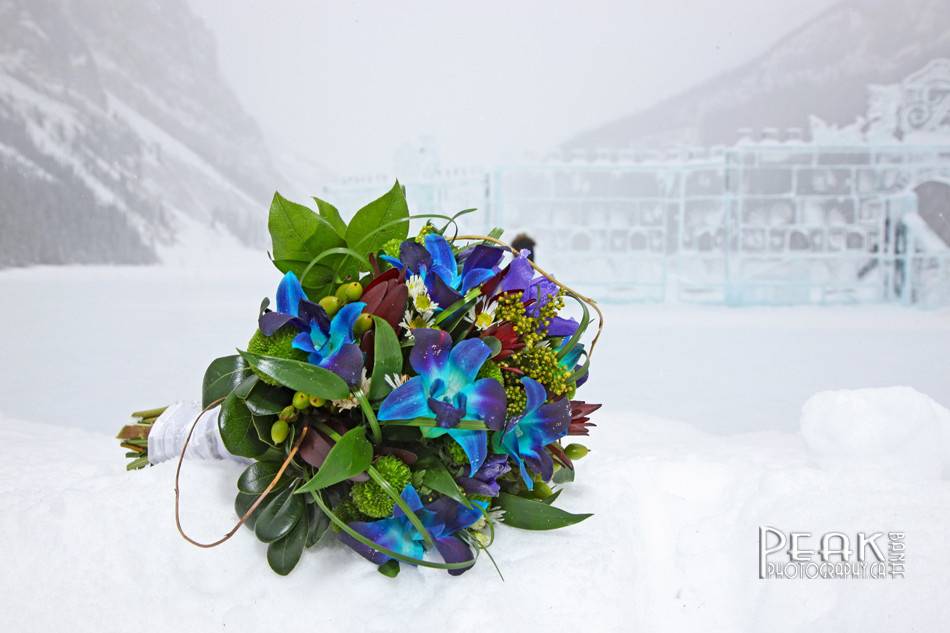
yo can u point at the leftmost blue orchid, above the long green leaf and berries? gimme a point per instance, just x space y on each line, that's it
331 344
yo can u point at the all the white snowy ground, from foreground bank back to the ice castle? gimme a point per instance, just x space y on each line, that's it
702 440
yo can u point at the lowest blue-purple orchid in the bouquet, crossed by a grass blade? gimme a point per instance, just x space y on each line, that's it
442 518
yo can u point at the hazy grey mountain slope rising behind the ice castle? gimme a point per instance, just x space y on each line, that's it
823 68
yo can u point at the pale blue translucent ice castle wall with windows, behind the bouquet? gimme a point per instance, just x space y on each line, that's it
855 214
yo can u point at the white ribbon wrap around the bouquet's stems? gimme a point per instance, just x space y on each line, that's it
167 436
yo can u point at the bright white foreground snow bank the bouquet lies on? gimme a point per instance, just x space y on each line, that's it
672 547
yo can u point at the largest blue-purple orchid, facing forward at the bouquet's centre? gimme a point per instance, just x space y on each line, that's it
446 389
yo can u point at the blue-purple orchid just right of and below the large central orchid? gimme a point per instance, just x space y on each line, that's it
526 435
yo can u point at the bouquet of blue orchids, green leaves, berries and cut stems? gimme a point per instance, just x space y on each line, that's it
405 393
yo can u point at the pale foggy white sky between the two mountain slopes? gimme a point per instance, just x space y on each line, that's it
345 83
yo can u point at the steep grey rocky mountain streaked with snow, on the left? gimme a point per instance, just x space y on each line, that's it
120 140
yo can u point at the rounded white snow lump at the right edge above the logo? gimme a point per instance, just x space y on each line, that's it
897 431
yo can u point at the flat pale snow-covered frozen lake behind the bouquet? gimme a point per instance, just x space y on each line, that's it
89 345
